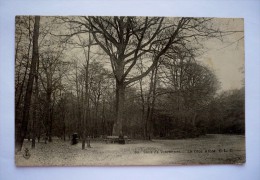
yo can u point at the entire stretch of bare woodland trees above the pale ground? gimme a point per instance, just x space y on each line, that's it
123 76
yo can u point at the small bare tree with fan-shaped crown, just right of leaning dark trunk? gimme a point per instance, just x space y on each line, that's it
52 70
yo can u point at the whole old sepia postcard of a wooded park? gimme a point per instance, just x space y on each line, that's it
129 91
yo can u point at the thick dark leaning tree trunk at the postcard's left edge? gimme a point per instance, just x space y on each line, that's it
21 132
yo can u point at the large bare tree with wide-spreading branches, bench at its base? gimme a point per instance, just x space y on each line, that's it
126 39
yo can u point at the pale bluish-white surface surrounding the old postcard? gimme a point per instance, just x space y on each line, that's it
250 10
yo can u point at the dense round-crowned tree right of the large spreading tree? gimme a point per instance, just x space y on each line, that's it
187 89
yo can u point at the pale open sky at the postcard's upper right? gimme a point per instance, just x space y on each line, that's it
226 58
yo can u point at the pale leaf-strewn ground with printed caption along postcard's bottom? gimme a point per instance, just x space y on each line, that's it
209 149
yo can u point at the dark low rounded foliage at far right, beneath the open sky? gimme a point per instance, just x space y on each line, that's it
226 113
